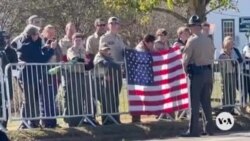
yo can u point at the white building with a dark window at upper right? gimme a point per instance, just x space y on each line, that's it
231 22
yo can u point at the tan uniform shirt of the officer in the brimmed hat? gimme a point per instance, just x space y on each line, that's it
199 50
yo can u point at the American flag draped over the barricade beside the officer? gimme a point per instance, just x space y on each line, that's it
156 82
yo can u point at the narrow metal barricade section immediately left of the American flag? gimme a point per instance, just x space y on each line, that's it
110 92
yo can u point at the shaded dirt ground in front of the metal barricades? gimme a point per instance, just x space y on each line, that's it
125 132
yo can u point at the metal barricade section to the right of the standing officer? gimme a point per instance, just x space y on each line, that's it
227 87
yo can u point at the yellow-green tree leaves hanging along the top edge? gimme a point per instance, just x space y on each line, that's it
146 6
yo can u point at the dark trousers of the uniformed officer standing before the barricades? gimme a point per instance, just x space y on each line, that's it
200 91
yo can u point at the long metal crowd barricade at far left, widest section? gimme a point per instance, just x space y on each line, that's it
49 91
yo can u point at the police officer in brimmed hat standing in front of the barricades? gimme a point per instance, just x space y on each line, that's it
197 61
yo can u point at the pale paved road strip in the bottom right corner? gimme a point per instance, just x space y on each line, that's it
226 137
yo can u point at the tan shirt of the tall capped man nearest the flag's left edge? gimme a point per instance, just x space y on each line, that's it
116 45
